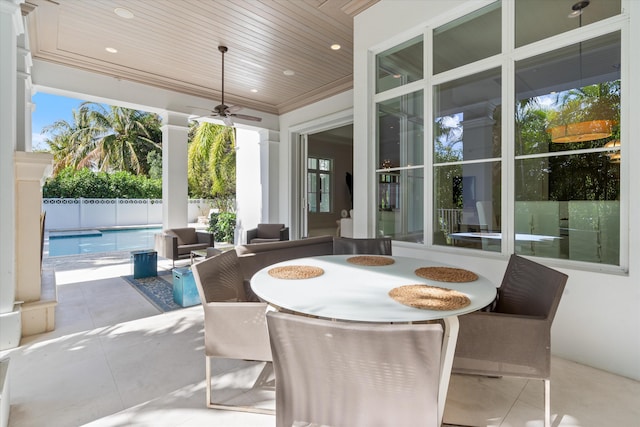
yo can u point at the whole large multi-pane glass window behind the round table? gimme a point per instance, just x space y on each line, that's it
561 161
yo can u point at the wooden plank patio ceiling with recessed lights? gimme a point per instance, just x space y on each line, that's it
174 45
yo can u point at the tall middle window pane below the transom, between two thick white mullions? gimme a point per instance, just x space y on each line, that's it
467 170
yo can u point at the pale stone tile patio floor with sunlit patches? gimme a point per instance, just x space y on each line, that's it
115 360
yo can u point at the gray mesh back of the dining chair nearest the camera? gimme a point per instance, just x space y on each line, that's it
354 374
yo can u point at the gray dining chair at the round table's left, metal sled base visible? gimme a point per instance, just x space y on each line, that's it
233 327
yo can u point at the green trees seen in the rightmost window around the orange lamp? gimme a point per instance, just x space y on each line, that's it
567 177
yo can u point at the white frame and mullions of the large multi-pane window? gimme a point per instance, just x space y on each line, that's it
506 61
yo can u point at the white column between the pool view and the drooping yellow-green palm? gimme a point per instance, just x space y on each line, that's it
174 170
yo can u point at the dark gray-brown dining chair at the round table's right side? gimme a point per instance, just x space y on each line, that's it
514 338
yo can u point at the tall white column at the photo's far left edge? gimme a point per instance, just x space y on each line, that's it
11 26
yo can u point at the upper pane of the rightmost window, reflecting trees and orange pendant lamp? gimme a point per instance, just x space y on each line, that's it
569 99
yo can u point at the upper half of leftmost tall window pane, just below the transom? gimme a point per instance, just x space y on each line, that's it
401 131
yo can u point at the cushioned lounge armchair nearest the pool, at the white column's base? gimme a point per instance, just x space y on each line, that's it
177 243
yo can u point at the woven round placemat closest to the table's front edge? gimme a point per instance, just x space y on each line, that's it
429 297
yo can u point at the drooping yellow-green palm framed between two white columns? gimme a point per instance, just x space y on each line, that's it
212 161
